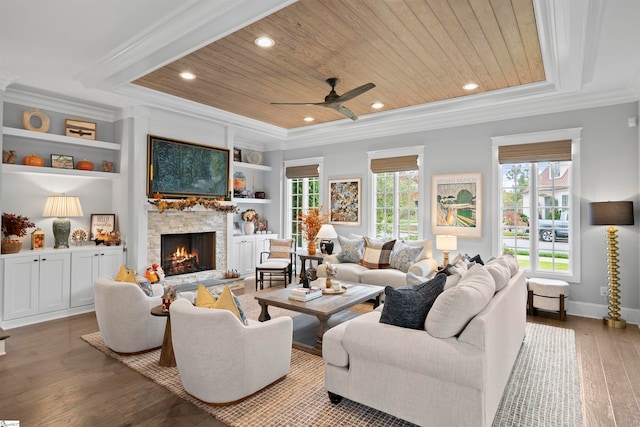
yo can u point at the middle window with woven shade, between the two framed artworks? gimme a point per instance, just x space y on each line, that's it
396 196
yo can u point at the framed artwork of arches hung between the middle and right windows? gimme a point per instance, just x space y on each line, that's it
456 205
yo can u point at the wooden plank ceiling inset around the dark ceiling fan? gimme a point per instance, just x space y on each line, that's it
415 51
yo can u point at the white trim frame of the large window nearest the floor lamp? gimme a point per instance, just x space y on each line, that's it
575 135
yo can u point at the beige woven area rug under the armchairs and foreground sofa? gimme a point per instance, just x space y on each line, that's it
543 389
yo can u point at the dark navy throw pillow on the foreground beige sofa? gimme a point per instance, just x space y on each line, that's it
408 307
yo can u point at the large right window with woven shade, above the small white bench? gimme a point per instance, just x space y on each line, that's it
538 205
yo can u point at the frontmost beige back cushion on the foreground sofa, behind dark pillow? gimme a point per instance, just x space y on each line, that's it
456 306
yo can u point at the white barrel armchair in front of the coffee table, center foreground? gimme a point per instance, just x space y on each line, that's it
220 360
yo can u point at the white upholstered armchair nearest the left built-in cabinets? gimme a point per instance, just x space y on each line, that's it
124 316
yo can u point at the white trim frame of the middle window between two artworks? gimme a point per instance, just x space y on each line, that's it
371 181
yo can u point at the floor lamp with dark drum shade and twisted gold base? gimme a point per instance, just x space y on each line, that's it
612 214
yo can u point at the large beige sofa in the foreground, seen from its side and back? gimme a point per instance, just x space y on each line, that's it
452 372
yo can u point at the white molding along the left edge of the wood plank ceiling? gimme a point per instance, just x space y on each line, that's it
194 25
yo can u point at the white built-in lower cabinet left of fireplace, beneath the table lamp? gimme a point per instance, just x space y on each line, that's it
43 285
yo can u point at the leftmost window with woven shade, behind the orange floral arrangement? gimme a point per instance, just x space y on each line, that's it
303 192
